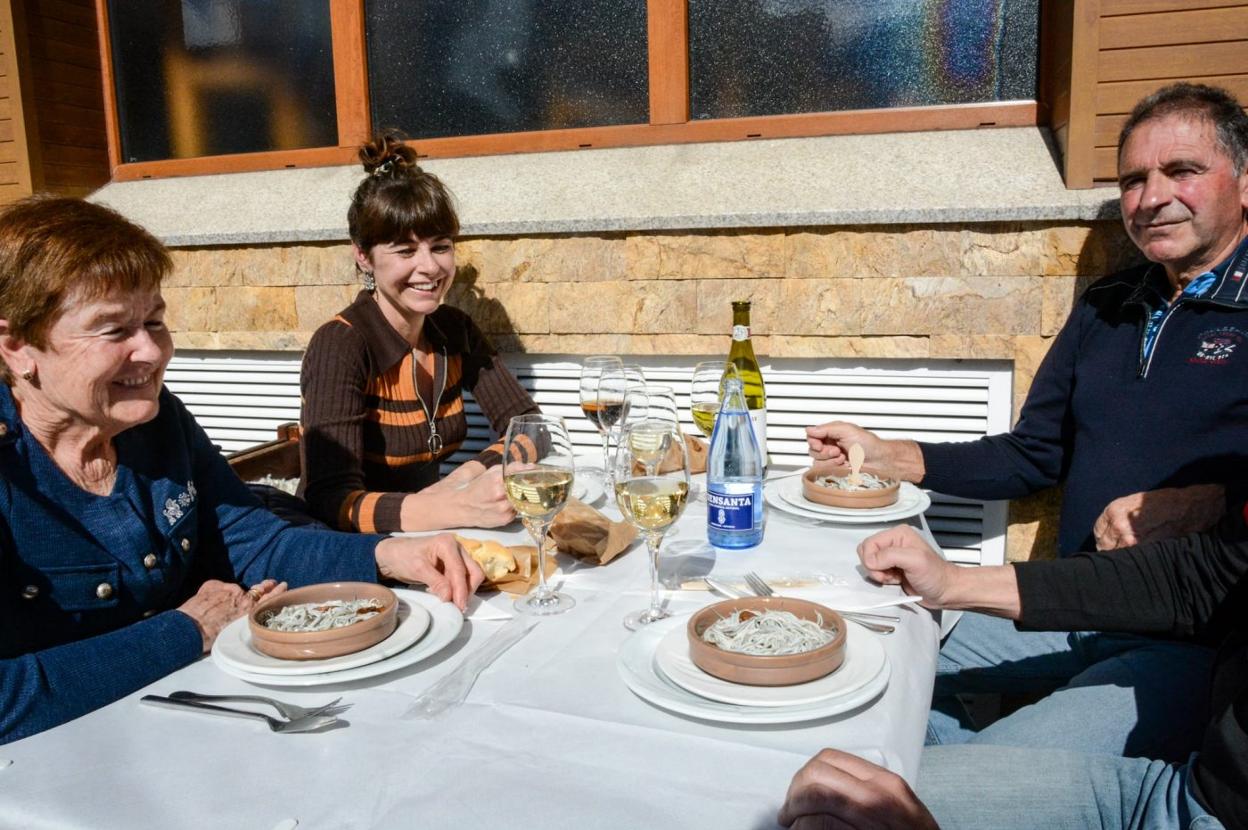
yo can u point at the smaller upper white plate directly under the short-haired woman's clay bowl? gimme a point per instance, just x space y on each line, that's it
234 647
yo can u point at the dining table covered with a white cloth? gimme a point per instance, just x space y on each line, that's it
551 736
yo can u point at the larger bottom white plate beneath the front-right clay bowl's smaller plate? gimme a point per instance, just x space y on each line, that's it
641 673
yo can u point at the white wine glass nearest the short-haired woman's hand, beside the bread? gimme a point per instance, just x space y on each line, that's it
539 472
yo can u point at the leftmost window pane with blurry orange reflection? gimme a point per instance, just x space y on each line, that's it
204 78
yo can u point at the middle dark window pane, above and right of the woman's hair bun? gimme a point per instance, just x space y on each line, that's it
449 68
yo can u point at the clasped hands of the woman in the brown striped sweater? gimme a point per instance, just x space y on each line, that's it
472 497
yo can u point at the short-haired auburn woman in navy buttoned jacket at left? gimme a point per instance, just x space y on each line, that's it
125 540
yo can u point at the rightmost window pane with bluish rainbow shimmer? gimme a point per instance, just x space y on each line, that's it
772 57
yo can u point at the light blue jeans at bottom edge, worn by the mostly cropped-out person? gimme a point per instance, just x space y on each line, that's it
1054 789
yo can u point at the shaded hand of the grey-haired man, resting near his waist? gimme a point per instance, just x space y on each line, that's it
1159 515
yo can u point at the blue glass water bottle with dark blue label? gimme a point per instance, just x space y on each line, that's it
734 476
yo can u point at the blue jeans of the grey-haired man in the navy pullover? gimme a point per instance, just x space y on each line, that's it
1119 695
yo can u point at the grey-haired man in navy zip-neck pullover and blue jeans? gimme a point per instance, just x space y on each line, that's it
1141 409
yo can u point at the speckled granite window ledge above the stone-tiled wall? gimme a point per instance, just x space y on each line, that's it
995 175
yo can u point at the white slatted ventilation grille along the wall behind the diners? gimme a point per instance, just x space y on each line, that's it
240 400
